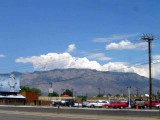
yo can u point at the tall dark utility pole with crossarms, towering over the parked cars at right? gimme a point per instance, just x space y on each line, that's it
149 39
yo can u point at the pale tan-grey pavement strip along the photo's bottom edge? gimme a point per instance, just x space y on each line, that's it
18 115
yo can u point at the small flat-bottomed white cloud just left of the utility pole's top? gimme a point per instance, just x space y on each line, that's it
126 45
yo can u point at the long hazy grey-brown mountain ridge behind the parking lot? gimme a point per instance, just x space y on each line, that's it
85 81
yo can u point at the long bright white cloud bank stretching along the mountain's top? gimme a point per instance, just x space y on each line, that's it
65 60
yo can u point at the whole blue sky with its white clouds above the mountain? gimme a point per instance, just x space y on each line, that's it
39 35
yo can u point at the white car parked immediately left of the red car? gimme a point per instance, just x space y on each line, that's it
98 103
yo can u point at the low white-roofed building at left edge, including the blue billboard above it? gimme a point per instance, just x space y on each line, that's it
9 90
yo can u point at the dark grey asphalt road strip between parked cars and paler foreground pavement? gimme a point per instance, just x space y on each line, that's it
84 111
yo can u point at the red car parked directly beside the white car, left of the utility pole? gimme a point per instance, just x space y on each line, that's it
116 104
